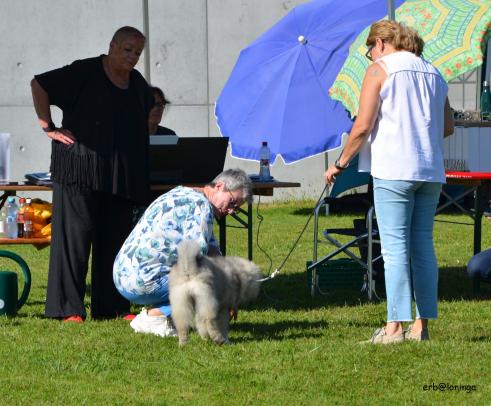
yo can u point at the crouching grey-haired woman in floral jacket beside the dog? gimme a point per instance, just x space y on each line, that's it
142 266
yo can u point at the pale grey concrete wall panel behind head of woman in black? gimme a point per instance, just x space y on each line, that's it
41 35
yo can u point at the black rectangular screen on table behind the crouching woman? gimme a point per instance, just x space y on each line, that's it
190 160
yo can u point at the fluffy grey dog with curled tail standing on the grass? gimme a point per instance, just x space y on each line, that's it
204 290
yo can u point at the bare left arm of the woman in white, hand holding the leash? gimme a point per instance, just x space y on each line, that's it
367 114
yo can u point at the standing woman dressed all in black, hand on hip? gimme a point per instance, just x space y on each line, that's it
99 170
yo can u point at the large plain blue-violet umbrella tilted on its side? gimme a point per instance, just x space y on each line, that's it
278 89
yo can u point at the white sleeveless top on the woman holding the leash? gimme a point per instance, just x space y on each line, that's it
406 142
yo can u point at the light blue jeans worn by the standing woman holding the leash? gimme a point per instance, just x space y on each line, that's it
405 216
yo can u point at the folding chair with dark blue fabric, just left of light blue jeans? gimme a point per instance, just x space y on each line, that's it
364 232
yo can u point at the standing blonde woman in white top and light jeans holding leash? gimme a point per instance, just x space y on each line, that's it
404 115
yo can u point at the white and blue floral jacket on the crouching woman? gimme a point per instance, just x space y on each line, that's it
150 251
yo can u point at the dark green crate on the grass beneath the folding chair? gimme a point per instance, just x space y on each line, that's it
342 274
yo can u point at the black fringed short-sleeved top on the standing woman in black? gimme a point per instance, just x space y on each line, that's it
110 126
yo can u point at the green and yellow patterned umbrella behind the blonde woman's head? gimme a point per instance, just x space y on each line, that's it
455 34
